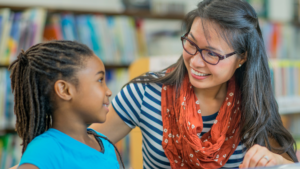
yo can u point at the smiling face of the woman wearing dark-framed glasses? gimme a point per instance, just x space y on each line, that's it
201 74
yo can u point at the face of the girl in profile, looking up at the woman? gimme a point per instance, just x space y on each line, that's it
92 95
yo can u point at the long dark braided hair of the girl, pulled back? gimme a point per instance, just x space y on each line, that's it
32 79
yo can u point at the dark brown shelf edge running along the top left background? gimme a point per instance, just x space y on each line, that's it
132 13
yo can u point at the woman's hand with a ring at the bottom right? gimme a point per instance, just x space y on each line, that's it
259 156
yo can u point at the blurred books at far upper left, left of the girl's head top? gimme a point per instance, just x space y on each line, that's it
19 30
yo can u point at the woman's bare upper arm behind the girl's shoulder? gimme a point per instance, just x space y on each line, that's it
114 127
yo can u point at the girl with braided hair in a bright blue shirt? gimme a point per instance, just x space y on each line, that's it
59 88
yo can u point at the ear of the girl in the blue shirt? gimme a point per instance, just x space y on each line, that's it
64 90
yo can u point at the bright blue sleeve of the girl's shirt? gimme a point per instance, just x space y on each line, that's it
40 152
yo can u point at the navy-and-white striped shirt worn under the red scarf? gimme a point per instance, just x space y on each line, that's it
140 105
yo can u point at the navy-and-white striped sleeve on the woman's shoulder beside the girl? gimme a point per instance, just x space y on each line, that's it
128 103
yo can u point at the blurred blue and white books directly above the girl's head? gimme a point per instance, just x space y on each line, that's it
112 38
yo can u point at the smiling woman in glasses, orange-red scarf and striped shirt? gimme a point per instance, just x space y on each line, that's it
214 107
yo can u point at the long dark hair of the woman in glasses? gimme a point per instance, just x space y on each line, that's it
238 25
